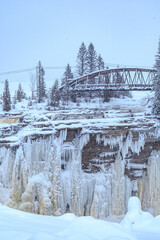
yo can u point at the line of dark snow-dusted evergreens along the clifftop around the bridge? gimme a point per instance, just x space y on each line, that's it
88 61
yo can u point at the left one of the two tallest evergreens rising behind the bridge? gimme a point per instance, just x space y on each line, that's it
82 60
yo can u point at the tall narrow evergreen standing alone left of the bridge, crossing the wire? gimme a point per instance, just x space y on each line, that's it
41 88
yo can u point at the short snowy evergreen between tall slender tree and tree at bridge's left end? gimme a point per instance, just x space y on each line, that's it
55 95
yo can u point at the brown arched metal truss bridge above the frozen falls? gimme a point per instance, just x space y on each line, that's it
118 79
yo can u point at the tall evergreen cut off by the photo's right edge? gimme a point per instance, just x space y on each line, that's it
156 105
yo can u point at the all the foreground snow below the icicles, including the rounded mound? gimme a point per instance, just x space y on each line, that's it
137 225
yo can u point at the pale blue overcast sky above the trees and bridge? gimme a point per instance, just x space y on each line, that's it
123 31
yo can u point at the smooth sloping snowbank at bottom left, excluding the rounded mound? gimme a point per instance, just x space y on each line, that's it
17 225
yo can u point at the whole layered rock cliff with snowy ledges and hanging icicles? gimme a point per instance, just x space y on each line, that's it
85 166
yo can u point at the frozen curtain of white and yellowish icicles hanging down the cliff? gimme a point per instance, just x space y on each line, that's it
45 176
